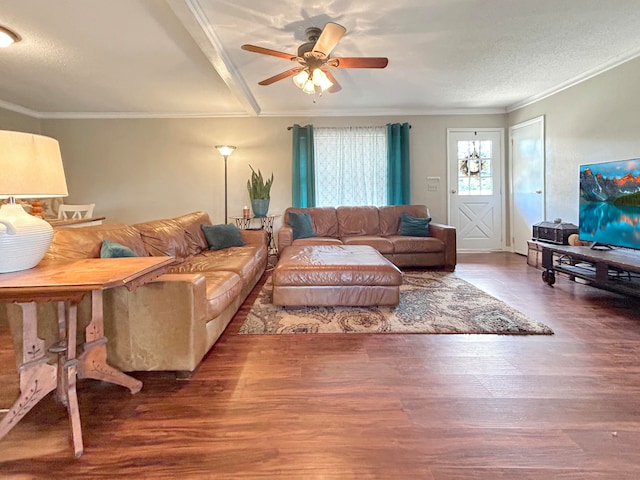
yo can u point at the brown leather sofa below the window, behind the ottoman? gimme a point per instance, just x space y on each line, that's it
379 228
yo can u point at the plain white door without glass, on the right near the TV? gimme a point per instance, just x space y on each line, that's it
526 164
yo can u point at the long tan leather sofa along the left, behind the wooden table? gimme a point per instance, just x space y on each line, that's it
173 321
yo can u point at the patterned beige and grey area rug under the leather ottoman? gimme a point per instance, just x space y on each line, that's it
430 302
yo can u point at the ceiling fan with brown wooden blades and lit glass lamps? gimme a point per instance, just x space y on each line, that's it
313 72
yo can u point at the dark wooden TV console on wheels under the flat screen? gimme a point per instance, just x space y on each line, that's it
617 270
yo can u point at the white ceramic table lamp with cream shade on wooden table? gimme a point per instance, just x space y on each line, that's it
31 167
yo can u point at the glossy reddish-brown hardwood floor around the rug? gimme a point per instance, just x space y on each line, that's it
370 406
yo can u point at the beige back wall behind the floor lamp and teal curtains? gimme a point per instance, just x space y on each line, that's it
136 170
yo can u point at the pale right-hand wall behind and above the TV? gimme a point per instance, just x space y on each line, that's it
597 120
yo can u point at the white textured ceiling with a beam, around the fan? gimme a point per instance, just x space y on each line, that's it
128 58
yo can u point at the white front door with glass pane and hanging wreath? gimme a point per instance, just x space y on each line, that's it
475 187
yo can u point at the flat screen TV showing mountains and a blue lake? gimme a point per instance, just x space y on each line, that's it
610 203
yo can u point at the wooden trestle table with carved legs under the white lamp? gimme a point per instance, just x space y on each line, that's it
66 284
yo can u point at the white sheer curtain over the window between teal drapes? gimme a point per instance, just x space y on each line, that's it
350 166
